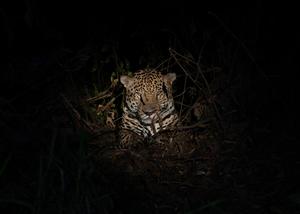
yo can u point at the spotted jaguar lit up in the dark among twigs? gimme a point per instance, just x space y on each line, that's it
148 107
